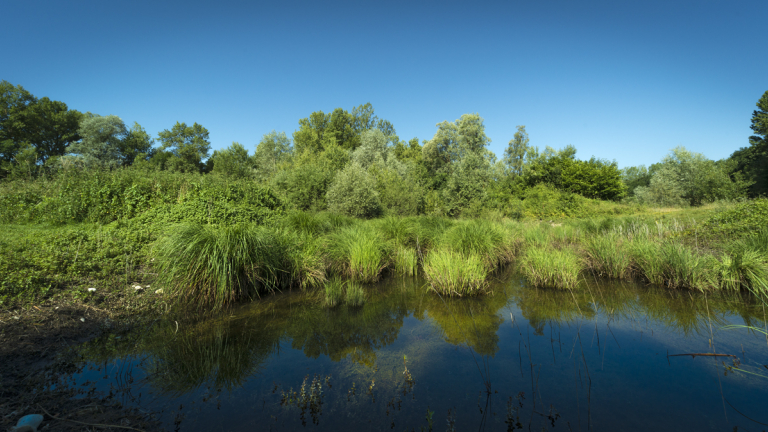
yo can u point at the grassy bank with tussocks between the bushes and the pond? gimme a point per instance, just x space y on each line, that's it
213 265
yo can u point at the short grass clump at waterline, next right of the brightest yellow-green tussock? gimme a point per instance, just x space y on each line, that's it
545 267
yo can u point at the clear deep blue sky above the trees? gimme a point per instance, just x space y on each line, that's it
623 80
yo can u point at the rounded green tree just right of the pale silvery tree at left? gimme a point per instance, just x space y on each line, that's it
188 146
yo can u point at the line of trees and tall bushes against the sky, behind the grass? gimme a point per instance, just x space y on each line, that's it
353 163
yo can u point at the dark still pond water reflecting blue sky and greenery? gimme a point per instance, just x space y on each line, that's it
592 359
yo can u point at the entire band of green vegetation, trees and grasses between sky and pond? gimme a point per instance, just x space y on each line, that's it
346 202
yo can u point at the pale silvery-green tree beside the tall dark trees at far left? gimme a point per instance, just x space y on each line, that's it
100 140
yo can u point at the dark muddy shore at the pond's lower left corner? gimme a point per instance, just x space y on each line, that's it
36 354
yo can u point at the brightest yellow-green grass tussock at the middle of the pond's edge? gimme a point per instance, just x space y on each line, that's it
455 274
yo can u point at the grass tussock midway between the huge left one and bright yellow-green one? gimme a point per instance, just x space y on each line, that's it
358 252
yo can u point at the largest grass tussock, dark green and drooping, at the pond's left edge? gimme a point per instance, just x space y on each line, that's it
213 267
